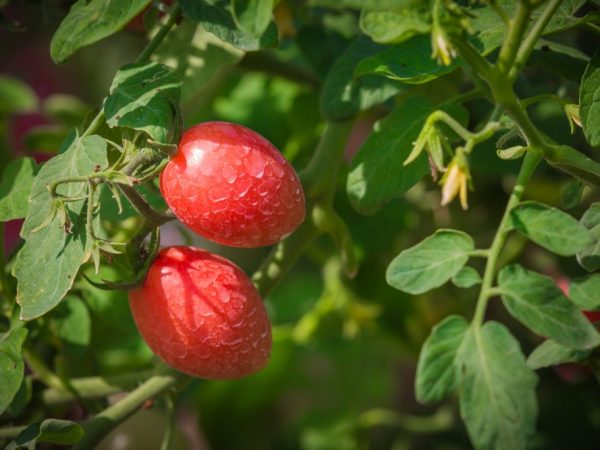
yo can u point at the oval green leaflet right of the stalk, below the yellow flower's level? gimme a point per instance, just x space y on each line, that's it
551 228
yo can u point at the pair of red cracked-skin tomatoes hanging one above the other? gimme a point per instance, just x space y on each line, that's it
197 311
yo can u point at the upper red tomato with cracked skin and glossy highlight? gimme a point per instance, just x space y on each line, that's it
232 186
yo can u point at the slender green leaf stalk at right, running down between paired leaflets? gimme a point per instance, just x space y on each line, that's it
530 162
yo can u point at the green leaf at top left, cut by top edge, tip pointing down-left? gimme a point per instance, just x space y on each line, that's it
89 21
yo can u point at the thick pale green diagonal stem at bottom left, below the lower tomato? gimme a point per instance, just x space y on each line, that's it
99 426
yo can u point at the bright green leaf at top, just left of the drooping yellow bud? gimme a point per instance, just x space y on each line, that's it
395 26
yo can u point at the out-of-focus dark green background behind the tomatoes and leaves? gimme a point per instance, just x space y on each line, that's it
344 356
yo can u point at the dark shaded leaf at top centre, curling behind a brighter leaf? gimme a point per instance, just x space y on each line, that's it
342 96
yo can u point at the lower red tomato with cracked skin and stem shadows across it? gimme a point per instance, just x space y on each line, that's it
202 315
